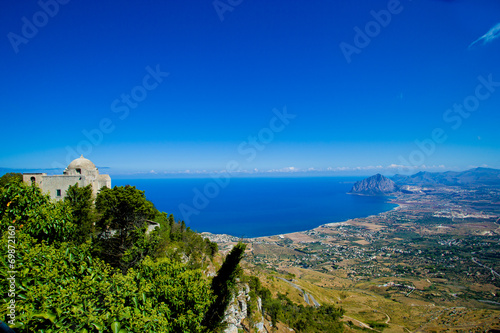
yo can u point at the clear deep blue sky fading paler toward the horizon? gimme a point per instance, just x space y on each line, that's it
359 105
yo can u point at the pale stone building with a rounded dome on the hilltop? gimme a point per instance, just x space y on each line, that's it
80 171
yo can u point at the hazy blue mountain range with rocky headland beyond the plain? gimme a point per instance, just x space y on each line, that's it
380 185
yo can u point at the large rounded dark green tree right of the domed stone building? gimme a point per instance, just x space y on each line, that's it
122 226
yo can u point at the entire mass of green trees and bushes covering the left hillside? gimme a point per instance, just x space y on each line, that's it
65 281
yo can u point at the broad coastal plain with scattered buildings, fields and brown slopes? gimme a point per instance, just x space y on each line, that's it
432 264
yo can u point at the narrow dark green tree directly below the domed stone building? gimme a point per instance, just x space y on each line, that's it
81 202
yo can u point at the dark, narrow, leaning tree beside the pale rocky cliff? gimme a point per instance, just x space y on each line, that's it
223 287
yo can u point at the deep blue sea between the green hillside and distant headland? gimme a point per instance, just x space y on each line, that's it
252 207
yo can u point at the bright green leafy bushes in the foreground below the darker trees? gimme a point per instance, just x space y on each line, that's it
66 289
